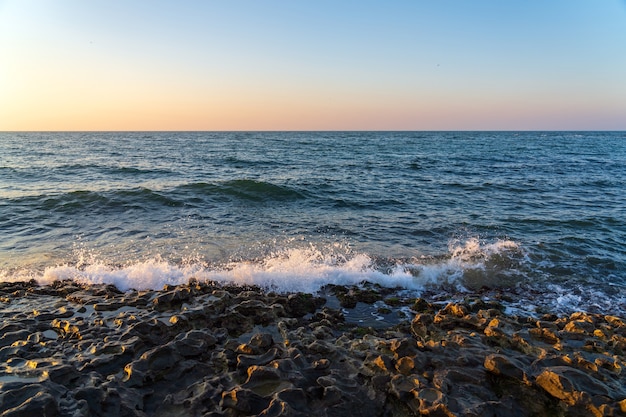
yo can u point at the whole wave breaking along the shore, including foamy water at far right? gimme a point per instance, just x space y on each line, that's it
470 267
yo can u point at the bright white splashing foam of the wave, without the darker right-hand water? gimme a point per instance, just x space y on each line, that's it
295 269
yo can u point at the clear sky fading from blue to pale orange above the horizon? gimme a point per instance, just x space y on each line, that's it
68 65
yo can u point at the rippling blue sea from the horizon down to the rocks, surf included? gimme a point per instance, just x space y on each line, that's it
540 216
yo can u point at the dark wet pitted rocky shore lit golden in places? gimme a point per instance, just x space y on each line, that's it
206 349
